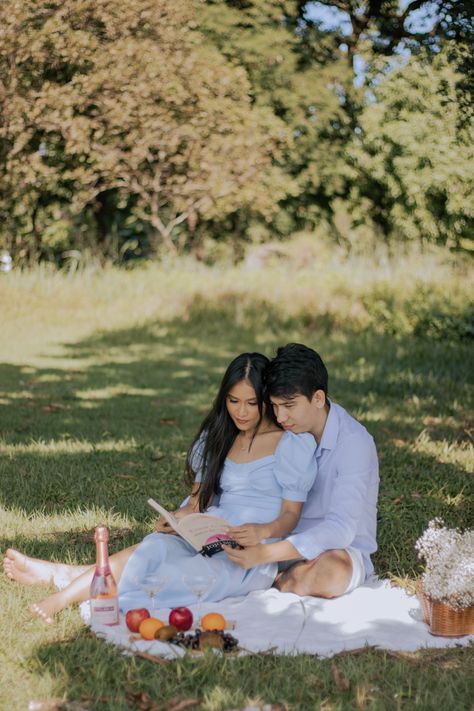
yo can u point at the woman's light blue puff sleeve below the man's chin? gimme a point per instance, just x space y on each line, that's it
295 465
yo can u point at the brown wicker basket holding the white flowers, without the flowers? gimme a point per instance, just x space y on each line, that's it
443 620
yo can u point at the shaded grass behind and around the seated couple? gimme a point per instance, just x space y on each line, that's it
114 427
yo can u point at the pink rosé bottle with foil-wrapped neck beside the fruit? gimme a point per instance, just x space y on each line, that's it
103 592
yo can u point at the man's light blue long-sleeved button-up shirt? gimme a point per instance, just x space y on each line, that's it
341 509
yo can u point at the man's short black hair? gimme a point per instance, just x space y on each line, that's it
296 370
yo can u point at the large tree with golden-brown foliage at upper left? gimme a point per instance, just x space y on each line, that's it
99 98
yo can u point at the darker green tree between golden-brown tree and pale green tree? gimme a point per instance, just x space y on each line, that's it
301 74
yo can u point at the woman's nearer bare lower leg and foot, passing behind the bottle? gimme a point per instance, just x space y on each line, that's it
78 589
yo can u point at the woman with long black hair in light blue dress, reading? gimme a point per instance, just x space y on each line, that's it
245 469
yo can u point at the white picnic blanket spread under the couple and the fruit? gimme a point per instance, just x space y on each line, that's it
373 614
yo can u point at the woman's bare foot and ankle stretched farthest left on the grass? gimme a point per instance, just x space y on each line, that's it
34 571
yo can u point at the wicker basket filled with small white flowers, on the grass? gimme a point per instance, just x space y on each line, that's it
446 589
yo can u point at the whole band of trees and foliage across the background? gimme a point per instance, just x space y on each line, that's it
155 127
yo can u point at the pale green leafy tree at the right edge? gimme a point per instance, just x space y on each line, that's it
413 167
